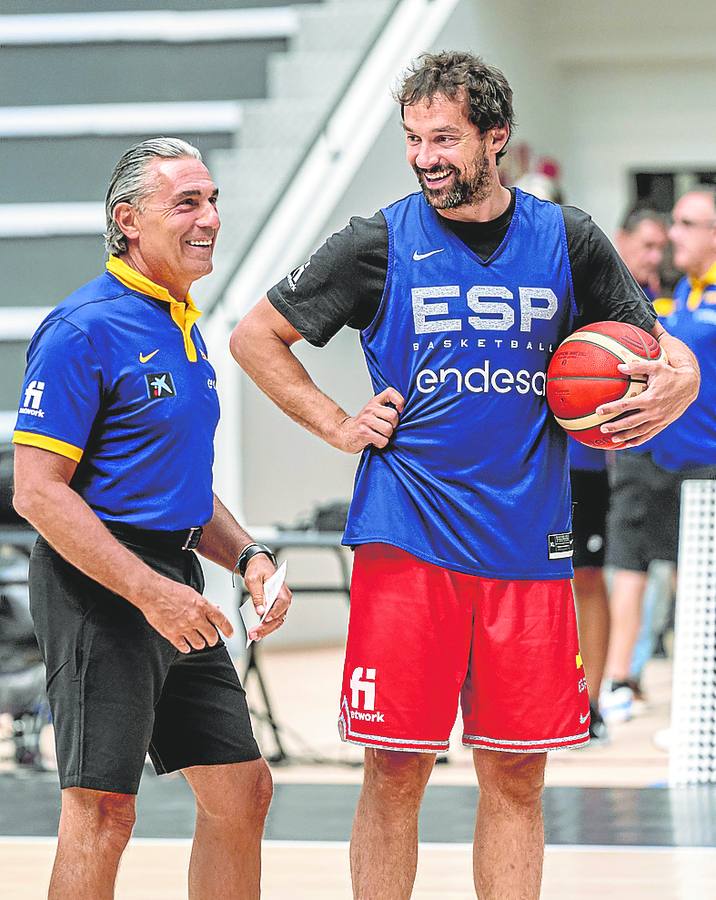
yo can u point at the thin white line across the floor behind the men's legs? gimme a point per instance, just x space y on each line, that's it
343 845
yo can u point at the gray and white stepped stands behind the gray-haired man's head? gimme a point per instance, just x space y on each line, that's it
248 83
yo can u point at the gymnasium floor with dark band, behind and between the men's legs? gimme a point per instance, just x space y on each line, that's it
613 827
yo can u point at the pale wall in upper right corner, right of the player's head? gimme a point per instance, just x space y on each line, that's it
639 82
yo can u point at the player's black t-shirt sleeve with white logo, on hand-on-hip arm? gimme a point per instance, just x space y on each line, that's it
341 284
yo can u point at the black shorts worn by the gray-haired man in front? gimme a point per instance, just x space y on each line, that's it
118 689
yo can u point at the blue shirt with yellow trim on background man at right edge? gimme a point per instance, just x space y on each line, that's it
690 441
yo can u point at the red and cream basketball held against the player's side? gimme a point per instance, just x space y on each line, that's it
583 374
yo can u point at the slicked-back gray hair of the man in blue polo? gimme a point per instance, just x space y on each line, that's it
130 182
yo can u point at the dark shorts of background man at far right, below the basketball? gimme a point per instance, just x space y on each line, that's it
643 520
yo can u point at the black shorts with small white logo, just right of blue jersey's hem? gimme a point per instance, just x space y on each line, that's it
590 503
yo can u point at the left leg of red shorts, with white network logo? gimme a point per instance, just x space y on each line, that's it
407 651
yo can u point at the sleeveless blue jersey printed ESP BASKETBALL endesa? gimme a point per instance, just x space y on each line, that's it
476 476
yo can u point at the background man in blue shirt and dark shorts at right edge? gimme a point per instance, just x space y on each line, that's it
643 522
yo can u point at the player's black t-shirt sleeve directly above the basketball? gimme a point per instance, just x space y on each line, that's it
604 288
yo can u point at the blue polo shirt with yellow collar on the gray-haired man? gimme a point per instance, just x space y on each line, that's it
118 380
